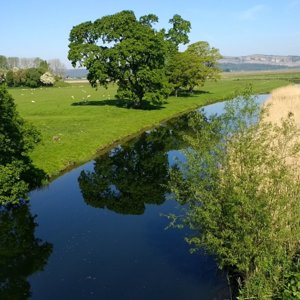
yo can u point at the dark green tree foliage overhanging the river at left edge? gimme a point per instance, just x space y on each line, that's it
17 139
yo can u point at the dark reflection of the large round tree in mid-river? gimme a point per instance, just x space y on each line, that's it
134 174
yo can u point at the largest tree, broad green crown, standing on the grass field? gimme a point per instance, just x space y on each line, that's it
119 48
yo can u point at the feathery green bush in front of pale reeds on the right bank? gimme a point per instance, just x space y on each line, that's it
242 194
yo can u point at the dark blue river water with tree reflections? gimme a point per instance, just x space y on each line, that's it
98 232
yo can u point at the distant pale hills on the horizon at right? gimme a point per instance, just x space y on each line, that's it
259 62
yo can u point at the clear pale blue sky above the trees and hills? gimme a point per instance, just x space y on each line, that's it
35 28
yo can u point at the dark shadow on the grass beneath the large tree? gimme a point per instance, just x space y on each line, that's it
118 103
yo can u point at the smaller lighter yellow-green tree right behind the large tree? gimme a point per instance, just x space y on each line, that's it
193 67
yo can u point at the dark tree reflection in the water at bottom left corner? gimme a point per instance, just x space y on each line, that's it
21 253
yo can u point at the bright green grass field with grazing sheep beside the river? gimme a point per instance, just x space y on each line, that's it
73 134
